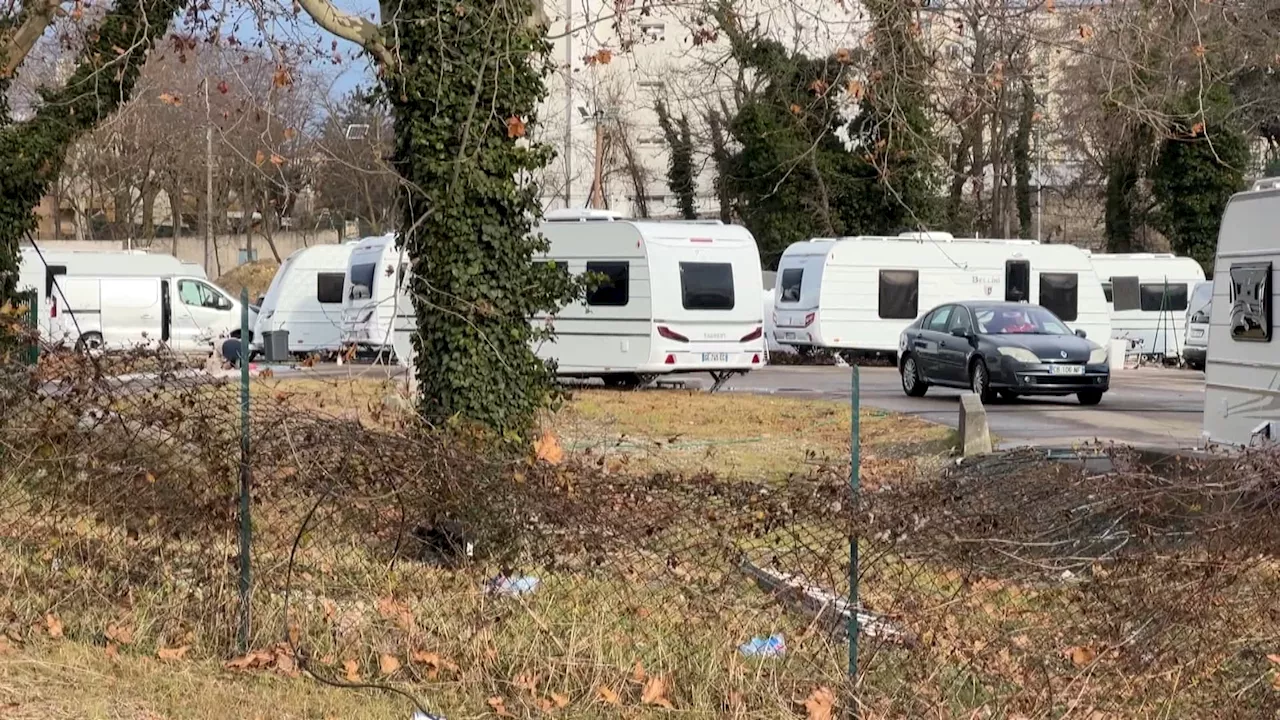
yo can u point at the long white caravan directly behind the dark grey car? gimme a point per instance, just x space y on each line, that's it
860 294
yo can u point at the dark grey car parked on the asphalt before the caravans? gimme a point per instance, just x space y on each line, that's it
1011 349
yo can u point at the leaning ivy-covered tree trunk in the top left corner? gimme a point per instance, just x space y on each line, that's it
33 152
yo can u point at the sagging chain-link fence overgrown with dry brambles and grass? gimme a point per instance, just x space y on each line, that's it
481 582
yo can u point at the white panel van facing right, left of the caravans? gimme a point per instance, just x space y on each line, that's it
182 313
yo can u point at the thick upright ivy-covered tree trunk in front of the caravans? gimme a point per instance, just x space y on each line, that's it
468 80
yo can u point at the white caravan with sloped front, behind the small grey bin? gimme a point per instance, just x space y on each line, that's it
307 299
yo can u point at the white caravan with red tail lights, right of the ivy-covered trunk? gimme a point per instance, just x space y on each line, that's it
678 298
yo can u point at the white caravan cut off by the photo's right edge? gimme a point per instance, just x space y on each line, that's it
1242 376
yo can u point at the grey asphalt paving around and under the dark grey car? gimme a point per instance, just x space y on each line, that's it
1149 407
